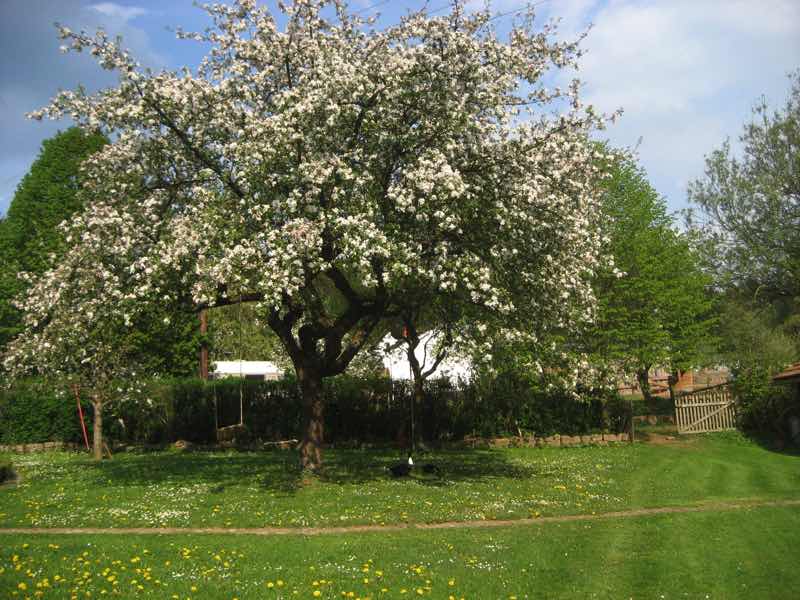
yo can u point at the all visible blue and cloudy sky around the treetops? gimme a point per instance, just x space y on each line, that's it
686 72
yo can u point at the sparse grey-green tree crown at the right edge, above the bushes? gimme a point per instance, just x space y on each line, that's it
749 206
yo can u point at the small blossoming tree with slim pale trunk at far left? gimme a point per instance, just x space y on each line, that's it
78 329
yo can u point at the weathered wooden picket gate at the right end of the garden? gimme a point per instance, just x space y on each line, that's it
708 409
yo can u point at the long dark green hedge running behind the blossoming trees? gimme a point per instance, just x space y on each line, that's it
357 409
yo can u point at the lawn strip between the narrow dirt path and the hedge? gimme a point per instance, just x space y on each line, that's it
241 489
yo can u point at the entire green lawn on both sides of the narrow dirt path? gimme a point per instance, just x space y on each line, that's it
746 553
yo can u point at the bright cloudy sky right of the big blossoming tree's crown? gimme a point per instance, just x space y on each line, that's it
685 71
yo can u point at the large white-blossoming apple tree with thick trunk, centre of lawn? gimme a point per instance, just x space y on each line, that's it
329 171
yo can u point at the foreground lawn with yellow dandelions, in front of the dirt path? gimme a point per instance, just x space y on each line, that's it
739 554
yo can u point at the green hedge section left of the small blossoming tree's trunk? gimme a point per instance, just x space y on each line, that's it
36 410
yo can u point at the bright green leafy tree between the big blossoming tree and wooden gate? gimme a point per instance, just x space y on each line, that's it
655 305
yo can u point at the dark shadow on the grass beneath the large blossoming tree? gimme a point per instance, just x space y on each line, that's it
277 471
